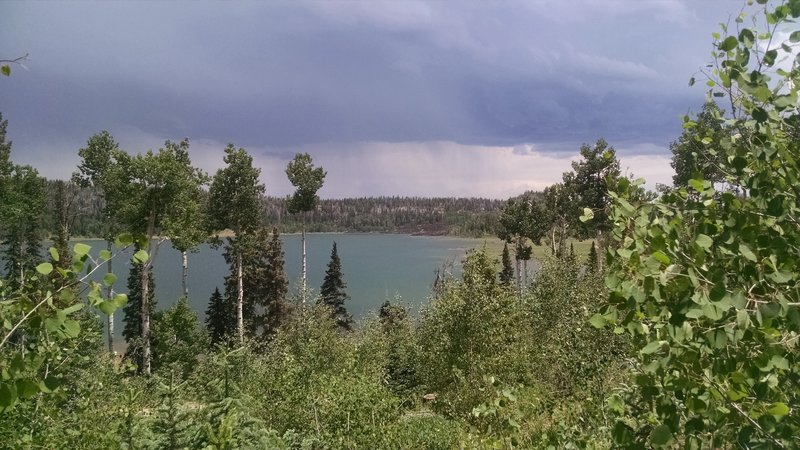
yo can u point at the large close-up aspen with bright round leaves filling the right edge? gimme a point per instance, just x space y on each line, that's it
705 279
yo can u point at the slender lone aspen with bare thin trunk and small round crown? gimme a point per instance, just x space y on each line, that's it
308 180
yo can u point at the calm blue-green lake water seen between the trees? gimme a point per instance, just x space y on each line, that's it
376 267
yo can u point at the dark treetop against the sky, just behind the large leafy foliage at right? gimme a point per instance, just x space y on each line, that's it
696 153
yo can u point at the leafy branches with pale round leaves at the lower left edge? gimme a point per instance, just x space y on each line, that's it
38 321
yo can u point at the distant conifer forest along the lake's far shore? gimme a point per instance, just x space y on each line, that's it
468 217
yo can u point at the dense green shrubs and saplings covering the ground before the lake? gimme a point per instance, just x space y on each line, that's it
470 373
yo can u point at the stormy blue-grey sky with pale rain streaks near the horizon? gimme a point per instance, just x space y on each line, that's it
440 98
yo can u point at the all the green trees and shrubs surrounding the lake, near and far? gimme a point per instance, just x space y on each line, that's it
678 329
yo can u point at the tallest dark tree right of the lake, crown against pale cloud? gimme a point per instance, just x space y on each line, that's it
589 182
